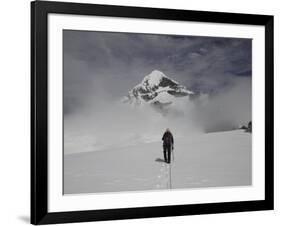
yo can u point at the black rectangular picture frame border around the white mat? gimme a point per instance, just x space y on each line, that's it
39 112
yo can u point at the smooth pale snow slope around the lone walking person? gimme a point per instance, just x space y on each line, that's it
203 160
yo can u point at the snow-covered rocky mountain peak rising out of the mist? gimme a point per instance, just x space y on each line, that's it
158 90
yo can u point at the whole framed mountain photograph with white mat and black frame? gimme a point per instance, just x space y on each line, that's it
145 112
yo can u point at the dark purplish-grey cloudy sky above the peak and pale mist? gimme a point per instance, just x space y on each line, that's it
107 65
